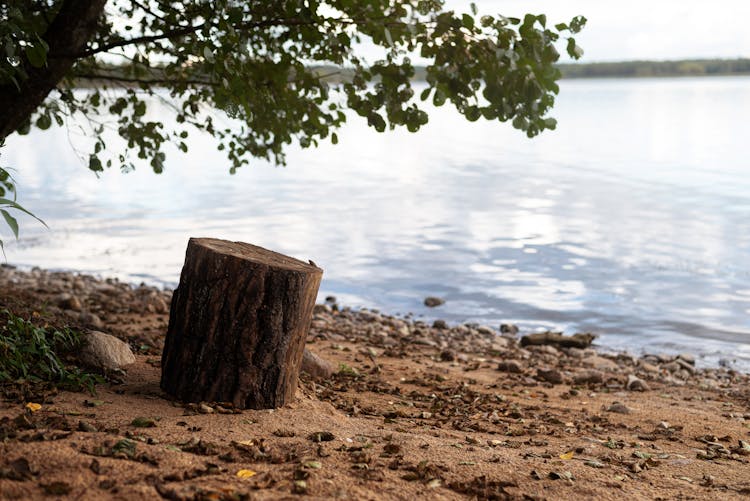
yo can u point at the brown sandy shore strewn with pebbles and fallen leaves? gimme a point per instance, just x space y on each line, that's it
413 411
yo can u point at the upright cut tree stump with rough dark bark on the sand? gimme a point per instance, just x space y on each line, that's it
237 325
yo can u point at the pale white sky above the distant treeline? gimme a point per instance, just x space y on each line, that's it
641 29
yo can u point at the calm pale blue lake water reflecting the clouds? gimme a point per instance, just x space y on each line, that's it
630 221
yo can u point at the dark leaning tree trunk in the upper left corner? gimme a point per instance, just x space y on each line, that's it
67 35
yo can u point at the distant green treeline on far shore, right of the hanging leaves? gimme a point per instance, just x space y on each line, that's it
685 68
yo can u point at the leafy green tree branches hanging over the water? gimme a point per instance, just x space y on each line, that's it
282 72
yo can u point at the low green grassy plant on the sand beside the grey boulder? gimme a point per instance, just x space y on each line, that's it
31 354
